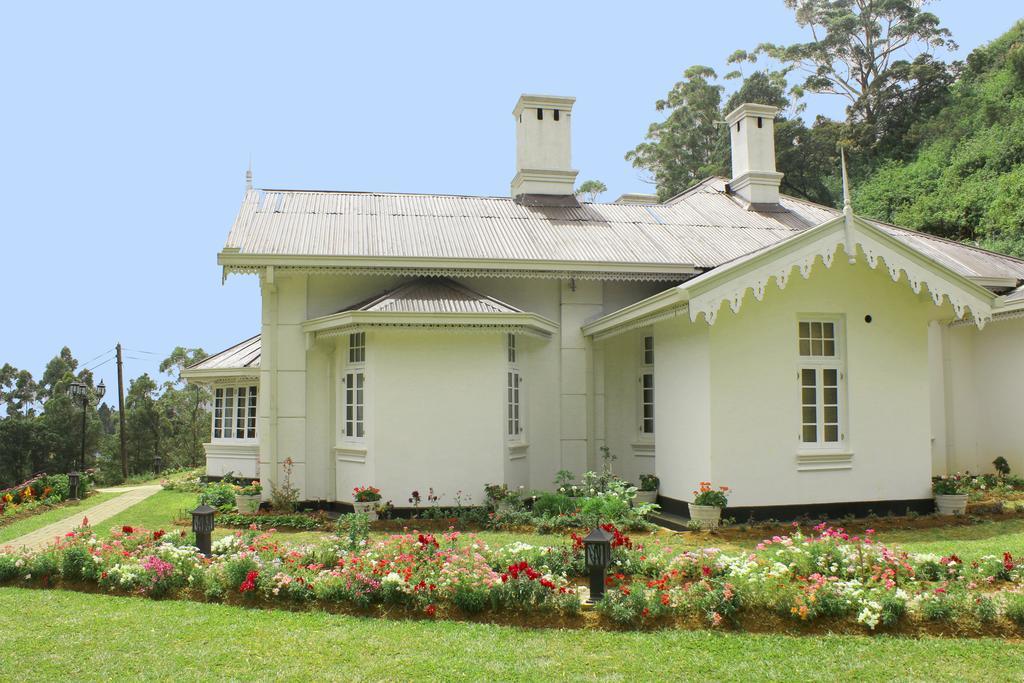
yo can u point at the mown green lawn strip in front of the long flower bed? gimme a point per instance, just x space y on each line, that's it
113 638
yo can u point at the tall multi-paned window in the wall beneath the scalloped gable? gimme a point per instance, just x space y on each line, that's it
821 375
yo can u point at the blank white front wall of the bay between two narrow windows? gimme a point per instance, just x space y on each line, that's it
437 415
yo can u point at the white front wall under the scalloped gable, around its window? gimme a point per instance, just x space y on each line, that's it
755 411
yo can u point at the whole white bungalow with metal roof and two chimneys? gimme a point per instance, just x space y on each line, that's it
801 356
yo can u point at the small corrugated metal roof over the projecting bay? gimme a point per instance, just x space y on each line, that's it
435 296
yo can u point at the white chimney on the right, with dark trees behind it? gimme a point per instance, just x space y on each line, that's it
752 132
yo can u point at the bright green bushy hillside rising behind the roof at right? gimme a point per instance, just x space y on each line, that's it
965 180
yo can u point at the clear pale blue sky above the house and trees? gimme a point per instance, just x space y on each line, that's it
127 129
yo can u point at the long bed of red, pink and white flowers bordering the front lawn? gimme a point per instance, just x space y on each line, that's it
828 578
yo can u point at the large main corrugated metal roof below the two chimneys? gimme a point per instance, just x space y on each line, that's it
703 228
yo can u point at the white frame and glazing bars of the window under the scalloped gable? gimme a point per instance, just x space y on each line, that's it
819 365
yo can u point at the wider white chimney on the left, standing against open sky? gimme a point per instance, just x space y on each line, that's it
543 146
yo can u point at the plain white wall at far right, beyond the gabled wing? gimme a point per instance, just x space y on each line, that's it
984 380
